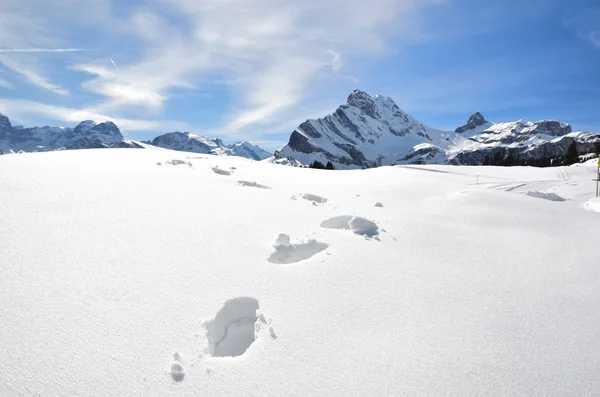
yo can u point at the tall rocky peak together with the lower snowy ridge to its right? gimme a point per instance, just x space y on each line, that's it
373 131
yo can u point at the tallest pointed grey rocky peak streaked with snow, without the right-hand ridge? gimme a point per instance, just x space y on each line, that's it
365 132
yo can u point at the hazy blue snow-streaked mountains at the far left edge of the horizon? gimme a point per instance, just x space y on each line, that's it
86 135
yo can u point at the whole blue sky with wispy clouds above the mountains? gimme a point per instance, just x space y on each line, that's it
255 69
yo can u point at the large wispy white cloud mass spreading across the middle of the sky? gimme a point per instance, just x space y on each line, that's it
272 54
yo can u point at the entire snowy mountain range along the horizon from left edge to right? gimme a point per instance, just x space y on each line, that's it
365 132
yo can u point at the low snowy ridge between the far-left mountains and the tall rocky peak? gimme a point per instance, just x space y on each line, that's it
190 142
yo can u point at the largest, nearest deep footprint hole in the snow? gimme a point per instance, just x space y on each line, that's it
231 332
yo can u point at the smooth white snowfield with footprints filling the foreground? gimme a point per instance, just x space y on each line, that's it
121 277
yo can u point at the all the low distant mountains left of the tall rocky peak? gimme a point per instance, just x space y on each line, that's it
95 134
